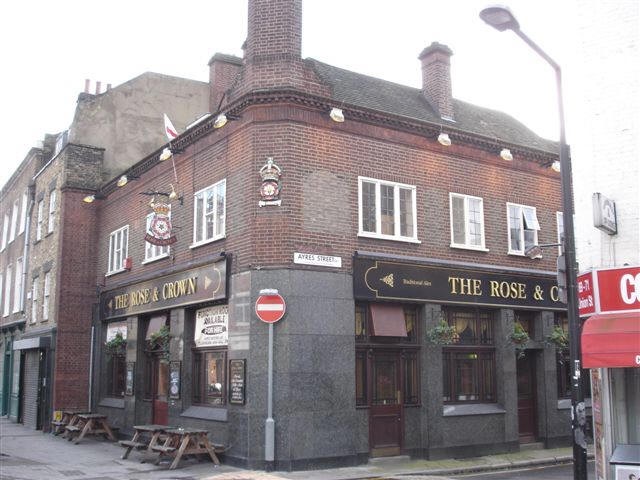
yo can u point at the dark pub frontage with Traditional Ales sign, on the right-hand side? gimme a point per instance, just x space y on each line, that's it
453 360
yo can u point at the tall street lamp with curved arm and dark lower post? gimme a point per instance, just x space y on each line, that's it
502 19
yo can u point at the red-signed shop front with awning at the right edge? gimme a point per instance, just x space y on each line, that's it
610 347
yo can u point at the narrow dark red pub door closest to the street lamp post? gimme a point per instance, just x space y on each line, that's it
527 417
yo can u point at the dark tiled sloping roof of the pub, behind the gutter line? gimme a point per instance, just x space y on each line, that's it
357 90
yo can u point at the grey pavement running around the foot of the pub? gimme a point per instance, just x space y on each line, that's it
27 454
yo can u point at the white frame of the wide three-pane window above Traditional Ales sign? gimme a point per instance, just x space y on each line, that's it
396 211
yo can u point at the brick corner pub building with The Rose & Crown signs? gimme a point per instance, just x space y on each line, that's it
408 216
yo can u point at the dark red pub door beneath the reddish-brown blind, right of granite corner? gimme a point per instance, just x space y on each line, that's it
385 414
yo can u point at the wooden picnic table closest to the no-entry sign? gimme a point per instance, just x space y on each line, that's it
184 441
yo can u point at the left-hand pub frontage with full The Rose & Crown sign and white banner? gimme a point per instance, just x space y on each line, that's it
161 348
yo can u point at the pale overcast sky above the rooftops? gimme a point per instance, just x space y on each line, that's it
49 49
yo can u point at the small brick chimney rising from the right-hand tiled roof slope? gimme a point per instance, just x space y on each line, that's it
436 78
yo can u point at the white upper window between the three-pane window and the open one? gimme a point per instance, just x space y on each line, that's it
467 221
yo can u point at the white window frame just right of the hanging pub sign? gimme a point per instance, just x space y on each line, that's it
218 218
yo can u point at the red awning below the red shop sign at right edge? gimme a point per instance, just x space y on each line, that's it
611 340
